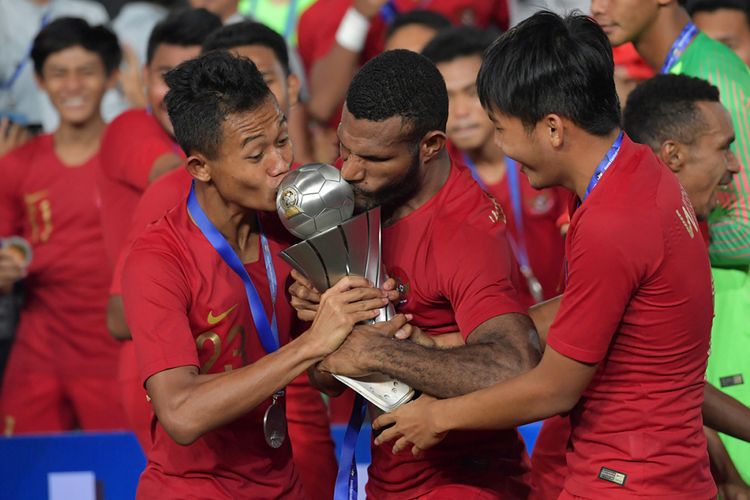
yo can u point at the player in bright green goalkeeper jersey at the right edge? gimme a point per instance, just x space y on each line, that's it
666 39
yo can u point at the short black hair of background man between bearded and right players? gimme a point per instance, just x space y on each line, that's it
459 41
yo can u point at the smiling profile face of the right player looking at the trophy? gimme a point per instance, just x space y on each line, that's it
524 146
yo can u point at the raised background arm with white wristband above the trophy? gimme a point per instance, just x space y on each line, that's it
331 74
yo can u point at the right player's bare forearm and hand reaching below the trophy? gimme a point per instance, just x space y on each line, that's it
554 386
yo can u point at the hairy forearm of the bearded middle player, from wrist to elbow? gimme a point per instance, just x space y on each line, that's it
447 373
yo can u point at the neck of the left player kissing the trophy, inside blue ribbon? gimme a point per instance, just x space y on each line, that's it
238 225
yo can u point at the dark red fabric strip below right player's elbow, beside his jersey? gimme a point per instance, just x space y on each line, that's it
548 468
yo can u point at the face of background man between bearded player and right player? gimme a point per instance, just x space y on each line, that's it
468 127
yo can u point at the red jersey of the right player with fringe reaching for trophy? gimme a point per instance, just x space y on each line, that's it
637 303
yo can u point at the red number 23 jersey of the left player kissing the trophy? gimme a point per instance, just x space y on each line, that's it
186 307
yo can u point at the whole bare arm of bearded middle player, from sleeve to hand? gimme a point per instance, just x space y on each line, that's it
500 348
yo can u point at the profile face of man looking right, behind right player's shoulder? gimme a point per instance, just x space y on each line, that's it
709 163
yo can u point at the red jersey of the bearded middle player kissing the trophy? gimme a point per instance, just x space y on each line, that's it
454 264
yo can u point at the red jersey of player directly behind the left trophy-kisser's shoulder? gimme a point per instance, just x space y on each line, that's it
131 144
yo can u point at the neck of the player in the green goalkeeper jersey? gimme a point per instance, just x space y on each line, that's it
655 42
